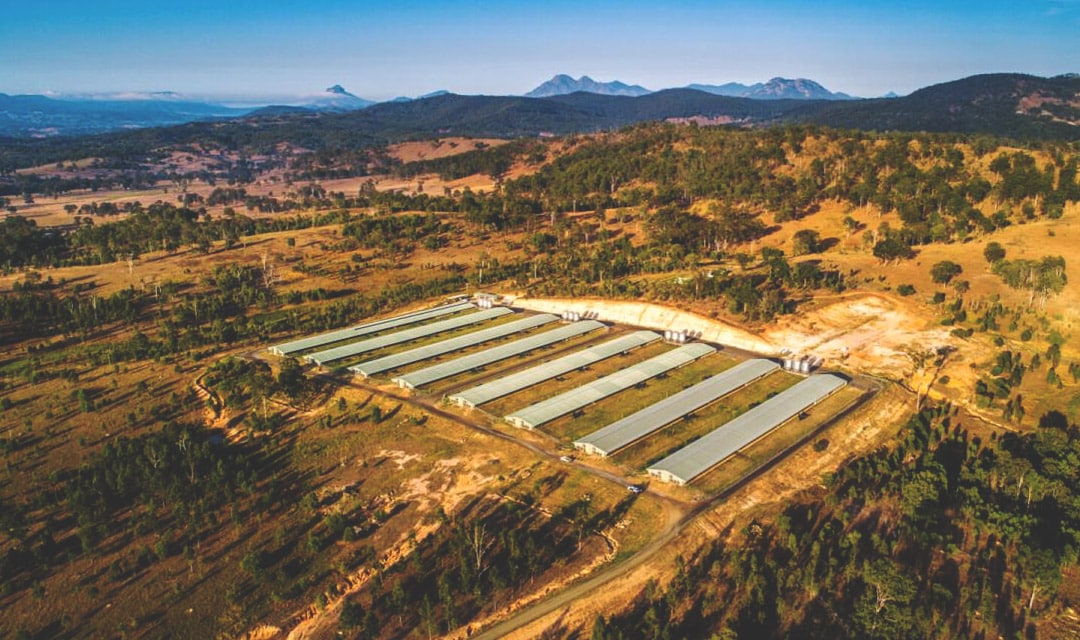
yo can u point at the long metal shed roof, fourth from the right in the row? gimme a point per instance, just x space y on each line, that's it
505 387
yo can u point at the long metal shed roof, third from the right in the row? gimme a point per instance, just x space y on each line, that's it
534 416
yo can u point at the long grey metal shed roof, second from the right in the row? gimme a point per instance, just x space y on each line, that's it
628 431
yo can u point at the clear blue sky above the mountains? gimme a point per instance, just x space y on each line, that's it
381 50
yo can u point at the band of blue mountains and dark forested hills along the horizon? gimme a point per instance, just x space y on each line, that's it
1002 104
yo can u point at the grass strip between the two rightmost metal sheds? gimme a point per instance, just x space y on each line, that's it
682 433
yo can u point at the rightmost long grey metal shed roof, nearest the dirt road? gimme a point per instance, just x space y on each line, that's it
719 445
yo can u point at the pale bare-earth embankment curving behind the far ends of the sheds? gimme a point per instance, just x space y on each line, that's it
653 316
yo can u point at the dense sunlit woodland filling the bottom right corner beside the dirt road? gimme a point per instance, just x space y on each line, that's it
943 537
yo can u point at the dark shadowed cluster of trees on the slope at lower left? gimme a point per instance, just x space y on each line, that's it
174 483
